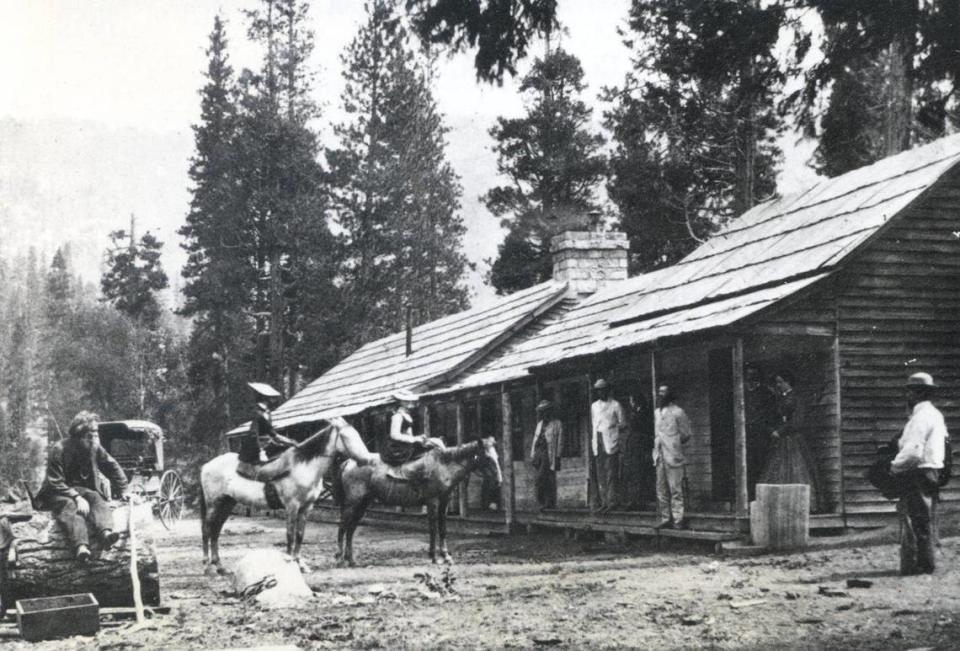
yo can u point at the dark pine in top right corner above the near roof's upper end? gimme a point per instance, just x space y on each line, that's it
888 72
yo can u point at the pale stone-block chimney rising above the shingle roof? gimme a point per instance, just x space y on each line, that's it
589 260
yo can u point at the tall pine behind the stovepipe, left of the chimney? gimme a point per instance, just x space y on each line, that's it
395 193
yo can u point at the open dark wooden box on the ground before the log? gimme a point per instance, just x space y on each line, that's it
46 618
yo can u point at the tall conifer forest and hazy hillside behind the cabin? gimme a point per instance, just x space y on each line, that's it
312 230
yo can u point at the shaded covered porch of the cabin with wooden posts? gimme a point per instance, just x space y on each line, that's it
718 381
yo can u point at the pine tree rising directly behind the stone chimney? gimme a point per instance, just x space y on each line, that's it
553 163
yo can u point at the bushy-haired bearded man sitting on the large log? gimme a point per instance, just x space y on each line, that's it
71 489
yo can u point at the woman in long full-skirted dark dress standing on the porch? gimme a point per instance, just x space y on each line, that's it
791 460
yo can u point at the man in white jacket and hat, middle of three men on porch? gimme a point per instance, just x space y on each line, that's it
609 422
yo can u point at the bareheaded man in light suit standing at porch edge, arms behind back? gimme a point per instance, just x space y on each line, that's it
672 431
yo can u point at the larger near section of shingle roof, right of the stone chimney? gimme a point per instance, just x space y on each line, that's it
769 253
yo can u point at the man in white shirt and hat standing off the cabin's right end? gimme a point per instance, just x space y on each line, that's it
920 457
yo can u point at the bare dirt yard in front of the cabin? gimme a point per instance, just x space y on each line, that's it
541 590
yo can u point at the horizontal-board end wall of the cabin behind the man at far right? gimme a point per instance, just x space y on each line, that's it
899 309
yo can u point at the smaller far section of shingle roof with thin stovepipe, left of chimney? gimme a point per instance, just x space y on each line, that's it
441 348
